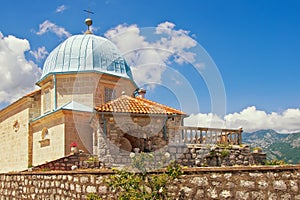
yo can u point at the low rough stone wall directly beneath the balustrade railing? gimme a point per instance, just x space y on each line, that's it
216 155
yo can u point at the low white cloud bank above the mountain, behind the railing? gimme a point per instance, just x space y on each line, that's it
251 119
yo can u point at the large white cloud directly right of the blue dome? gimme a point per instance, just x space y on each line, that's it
150 50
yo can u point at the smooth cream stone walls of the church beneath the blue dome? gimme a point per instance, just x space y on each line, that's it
37 129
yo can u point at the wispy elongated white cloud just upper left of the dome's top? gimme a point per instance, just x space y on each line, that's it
48 26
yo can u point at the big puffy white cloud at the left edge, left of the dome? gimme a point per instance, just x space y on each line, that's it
18 75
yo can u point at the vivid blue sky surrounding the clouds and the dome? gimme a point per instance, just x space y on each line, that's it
255 44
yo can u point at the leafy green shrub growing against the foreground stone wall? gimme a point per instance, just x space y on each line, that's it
141 184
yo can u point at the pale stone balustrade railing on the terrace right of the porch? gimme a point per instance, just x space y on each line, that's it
202 135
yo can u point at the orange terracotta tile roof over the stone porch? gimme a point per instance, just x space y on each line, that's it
127 104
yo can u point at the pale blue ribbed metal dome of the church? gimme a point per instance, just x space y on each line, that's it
86 53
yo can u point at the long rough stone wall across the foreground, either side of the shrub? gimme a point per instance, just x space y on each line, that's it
276 182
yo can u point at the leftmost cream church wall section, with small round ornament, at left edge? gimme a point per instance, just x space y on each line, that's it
14 137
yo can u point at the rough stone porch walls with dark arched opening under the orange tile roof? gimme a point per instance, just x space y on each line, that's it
116 135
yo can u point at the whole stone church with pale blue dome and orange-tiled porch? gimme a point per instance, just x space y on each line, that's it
87 97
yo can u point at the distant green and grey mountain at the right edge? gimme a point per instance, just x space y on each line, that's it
277 145
